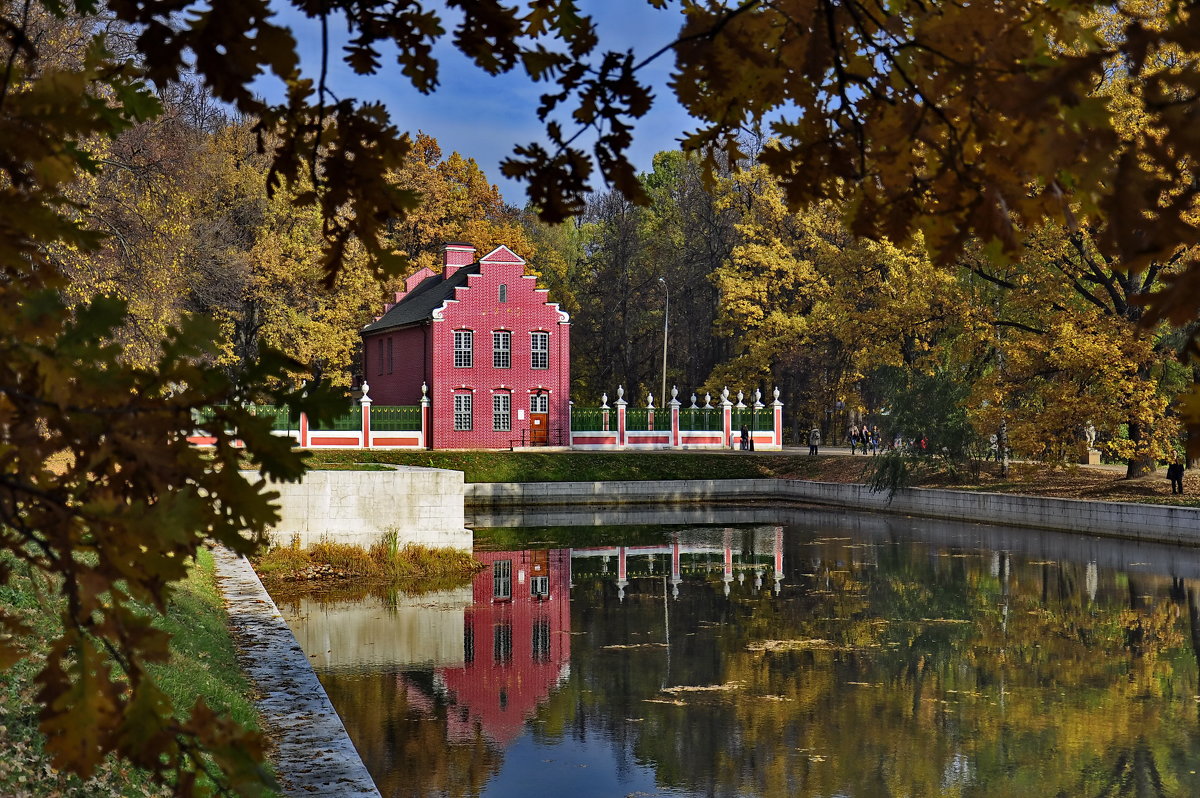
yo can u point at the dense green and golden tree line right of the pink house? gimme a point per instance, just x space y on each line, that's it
863 331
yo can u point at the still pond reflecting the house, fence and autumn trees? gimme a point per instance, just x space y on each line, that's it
775 652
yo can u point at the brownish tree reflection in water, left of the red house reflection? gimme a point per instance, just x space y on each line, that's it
400 730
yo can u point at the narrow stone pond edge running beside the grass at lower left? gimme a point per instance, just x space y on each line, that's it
315 755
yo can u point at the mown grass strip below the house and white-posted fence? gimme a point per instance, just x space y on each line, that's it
584 466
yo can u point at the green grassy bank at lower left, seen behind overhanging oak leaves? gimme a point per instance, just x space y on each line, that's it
203 665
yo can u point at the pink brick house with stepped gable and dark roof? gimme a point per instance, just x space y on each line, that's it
491 347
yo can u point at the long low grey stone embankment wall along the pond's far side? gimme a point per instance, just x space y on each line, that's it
1149 523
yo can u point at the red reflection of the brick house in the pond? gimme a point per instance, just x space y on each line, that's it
517 644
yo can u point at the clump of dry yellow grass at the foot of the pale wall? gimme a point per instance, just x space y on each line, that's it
387 560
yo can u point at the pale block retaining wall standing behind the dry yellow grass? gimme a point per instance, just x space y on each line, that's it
425 505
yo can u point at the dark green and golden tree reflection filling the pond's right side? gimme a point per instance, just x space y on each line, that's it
1059 682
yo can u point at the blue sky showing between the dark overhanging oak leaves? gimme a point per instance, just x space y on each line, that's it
484 118
